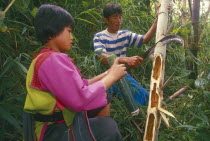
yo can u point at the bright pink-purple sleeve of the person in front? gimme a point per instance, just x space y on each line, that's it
59 75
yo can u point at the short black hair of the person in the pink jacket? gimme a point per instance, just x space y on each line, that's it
50 21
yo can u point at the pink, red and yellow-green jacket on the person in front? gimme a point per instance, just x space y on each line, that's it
55 84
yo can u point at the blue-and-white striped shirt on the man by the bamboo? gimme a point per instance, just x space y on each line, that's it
116 43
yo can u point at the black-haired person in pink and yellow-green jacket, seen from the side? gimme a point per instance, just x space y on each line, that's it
57 95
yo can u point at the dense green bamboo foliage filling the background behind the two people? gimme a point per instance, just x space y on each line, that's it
191 109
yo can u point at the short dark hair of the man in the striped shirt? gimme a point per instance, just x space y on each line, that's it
110 9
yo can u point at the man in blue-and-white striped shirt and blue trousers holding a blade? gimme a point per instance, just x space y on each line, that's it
115 41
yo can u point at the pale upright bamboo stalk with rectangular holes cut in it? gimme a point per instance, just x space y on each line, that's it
157 77
